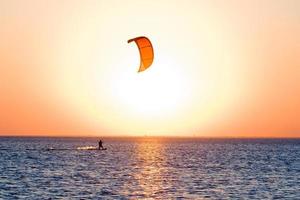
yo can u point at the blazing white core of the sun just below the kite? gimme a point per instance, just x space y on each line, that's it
160 91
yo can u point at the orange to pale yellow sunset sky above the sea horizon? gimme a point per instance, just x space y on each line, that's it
221 68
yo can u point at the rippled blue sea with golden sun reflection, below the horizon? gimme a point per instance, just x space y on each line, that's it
149 168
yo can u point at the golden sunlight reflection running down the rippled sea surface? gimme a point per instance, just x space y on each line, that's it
152 173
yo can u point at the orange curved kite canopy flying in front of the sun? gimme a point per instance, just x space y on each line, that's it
146 52
